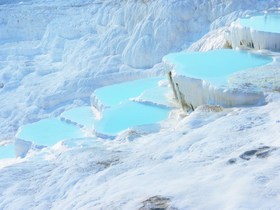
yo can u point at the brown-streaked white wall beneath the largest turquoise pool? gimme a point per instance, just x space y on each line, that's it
195 92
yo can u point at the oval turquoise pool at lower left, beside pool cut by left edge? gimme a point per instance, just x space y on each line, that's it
48 132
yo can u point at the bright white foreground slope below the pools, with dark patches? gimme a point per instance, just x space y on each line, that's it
199 162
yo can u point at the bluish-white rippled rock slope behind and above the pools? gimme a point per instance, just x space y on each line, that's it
57 55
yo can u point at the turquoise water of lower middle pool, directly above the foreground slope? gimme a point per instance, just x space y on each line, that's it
128 115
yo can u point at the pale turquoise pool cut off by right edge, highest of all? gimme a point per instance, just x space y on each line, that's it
266 23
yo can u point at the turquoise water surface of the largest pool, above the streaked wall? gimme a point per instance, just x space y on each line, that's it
215 65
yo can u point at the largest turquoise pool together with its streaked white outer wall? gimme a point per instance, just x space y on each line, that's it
199 78
